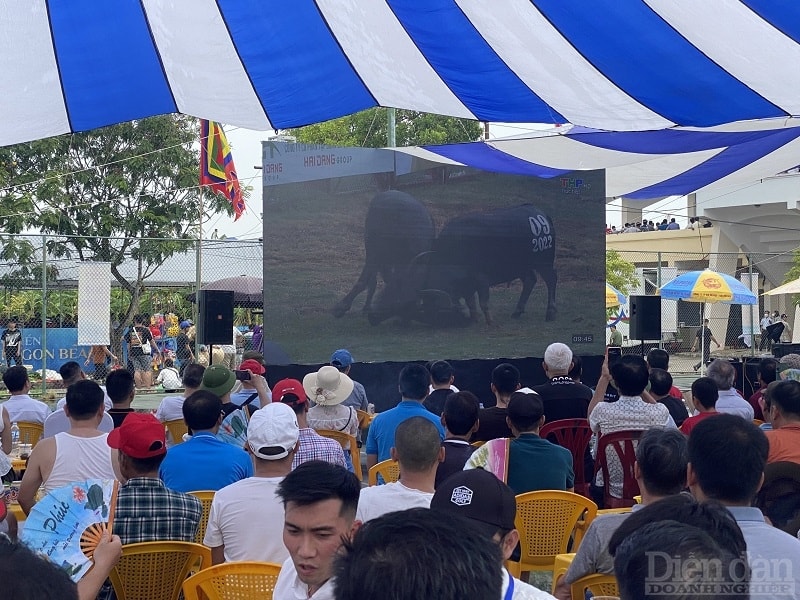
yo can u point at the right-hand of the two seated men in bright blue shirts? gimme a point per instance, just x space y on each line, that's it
414 381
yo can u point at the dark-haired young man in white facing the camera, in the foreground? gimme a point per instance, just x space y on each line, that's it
320 502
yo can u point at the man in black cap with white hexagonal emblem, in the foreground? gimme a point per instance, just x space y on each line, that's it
491 506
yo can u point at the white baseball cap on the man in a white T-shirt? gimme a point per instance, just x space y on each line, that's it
273 431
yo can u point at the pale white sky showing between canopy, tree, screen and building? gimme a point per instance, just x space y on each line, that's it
246 148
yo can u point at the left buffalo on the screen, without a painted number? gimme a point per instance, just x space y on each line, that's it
398 227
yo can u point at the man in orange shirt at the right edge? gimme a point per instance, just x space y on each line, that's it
784 438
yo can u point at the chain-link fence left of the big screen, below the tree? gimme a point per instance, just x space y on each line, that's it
153 278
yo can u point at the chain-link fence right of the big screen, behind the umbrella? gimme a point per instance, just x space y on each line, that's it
737 328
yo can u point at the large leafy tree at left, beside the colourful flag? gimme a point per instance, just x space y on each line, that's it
121 193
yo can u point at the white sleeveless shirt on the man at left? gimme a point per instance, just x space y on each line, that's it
78 459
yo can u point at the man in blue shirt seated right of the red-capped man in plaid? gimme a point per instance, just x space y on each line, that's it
204 462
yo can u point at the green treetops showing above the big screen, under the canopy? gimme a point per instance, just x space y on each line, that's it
368 129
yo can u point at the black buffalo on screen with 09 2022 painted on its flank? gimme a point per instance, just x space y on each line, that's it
472 253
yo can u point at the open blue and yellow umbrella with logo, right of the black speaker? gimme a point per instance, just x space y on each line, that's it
707 286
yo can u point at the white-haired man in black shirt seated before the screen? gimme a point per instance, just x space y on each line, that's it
562 396
